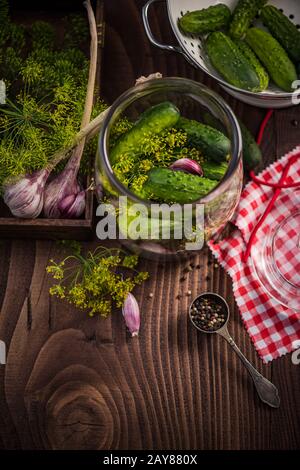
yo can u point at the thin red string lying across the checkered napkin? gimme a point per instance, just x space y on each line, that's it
277 186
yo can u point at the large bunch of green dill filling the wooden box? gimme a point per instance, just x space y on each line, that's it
46 83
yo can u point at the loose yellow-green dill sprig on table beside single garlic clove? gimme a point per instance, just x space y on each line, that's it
95 282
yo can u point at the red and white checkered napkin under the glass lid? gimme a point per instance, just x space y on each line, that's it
274 329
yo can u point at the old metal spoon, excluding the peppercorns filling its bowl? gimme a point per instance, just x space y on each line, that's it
267 392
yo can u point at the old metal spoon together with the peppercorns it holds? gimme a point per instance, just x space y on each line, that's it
209 313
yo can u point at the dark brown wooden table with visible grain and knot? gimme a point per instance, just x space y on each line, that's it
72 382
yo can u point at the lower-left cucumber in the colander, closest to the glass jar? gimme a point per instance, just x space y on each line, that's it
231 63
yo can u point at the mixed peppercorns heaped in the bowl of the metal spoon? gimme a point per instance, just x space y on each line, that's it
207 314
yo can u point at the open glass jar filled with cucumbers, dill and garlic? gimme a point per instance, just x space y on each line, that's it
171 151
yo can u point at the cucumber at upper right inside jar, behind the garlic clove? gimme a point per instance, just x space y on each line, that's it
211 142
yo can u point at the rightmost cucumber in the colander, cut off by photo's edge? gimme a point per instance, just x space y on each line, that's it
283 30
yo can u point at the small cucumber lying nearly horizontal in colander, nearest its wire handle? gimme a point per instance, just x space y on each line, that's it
206 20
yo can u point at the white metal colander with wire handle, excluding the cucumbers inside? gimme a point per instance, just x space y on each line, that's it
192 47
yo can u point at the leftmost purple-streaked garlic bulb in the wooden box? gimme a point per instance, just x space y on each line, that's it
25 198
